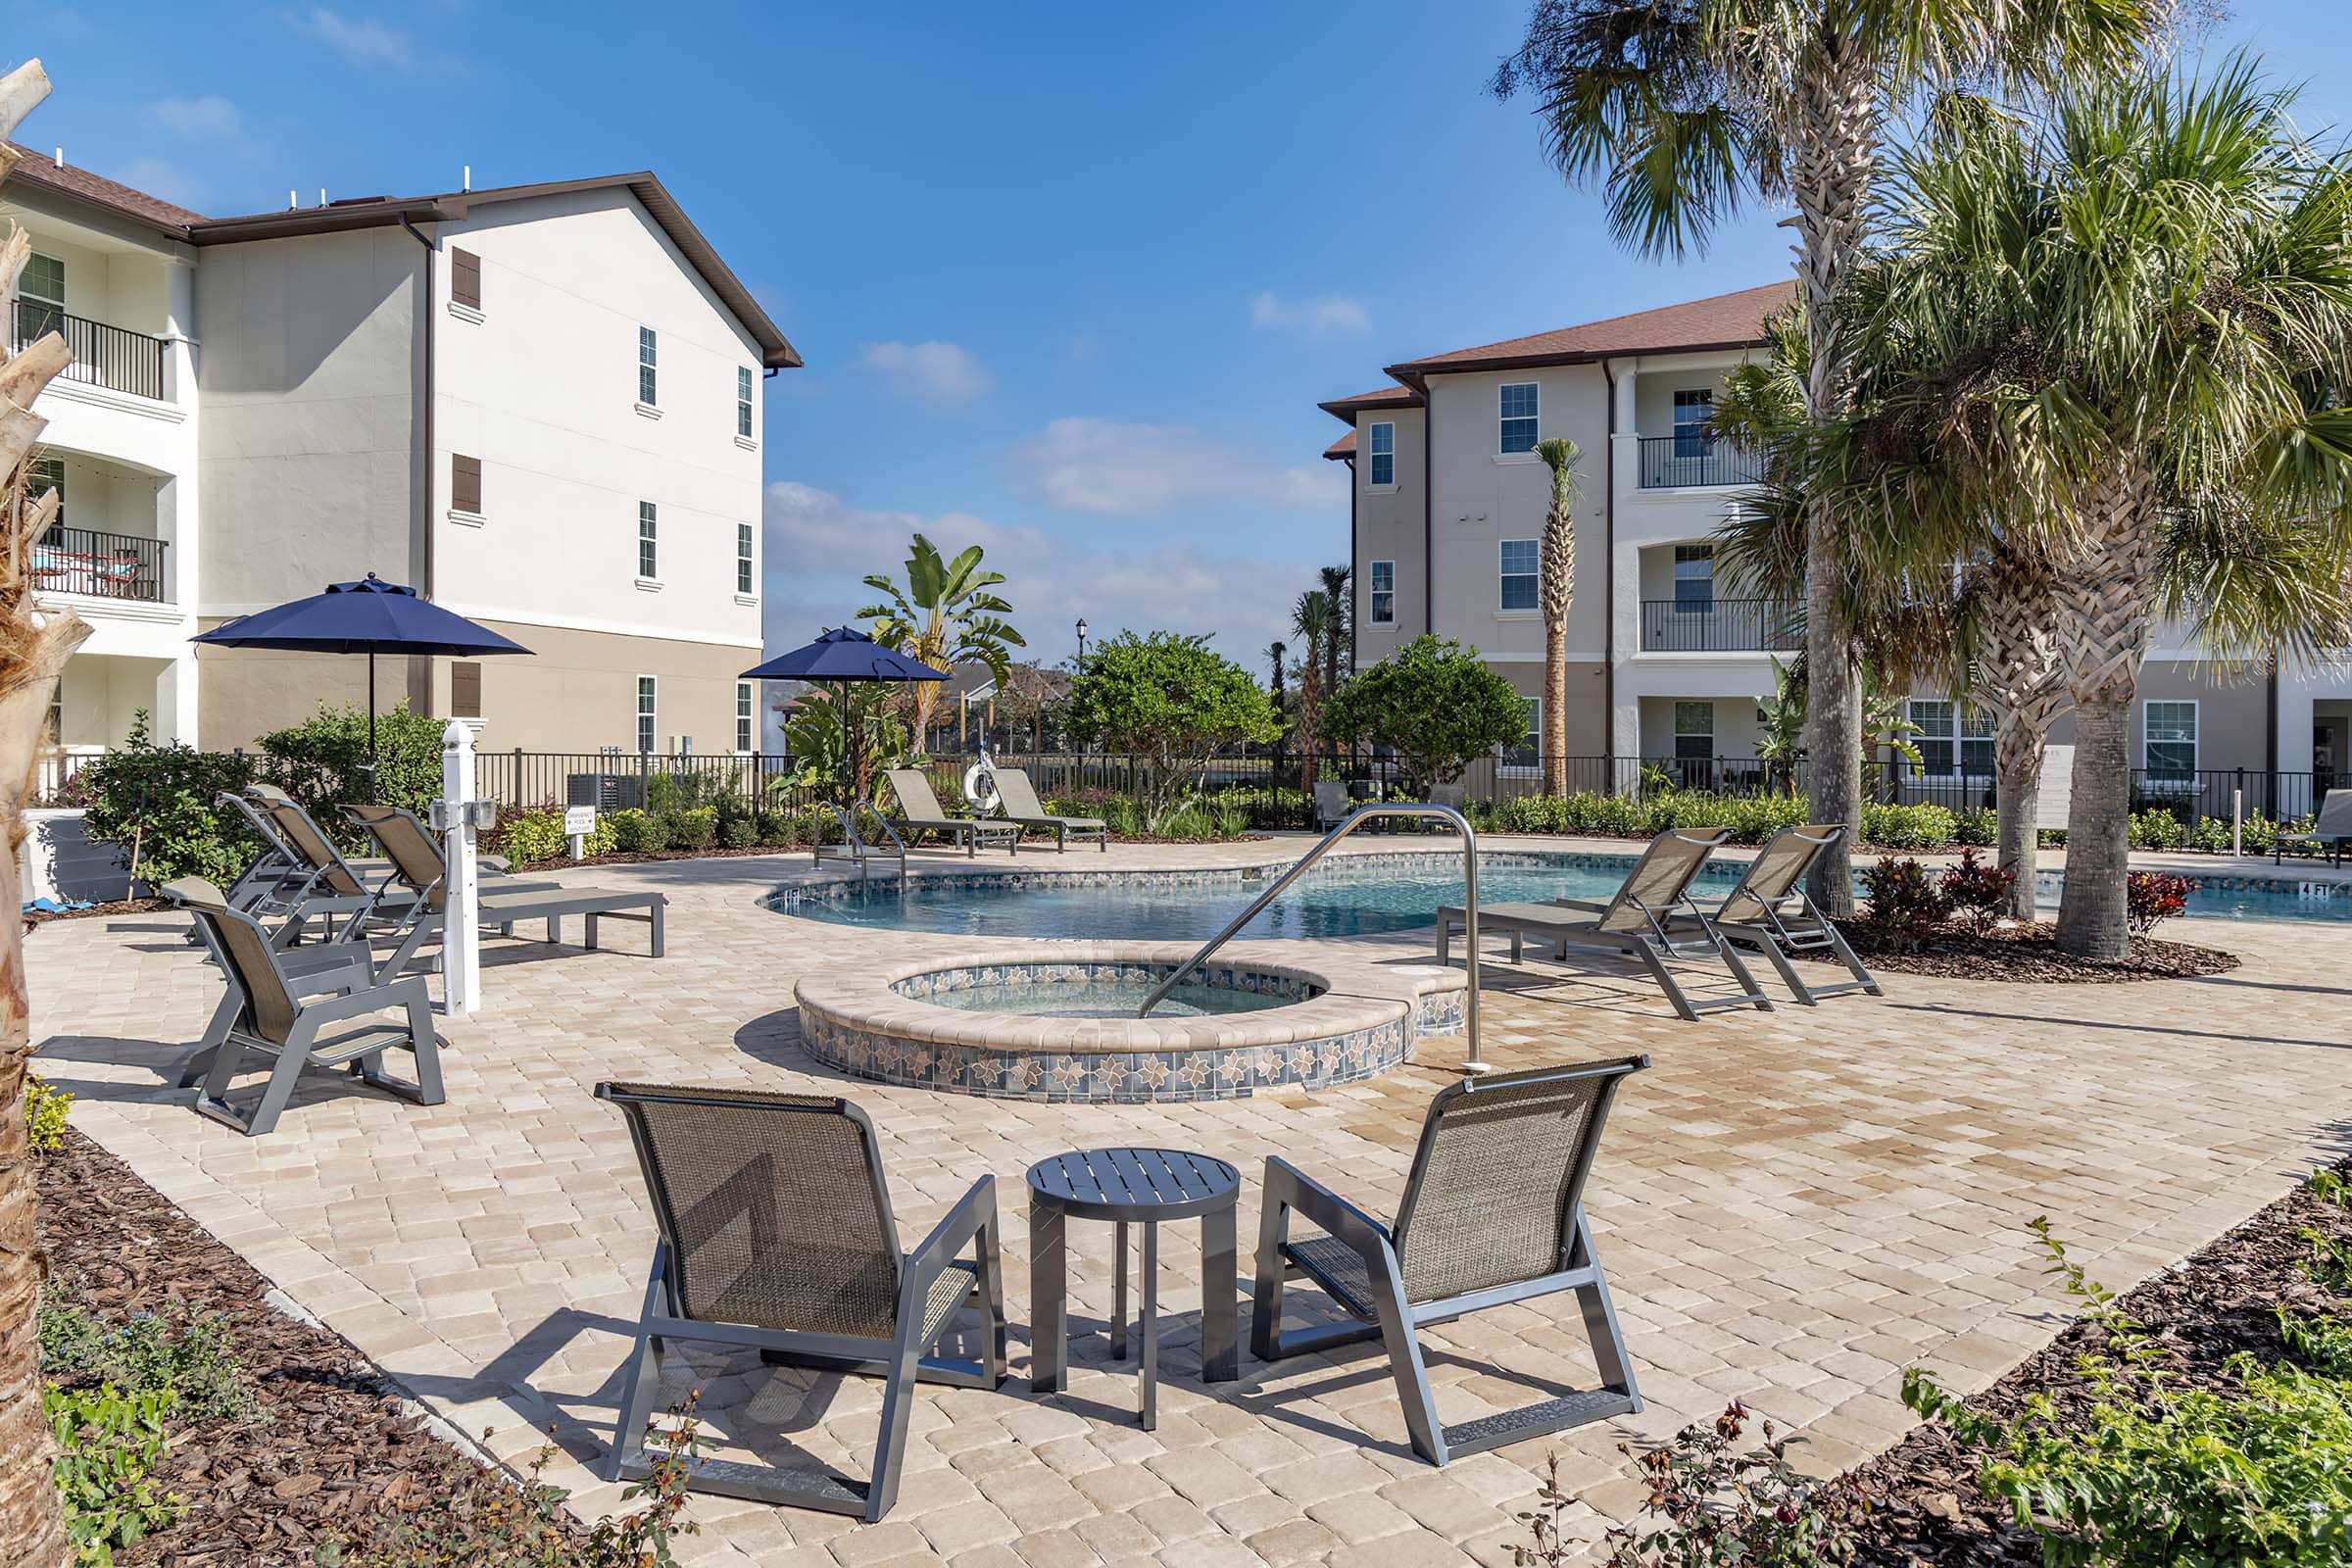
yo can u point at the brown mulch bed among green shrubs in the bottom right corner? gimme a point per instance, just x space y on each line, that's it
2224 1301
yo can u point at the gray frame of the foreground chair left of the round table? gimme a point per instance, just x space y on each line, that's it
902 1362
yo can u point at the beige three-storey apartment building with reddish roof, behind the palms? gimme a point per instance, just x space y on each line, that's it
1448 509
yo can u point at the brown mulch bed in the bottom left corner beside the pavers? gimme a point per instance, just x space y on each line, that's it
333 1447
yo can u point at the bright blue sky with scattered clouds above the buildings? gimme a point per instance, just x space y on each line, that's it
1069 279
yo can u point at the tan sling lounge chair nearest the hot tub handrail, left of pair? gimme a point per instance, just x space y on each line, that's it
1650 918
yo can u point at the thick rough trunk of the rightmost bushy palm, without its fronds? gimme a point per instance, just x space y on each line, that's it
2106 596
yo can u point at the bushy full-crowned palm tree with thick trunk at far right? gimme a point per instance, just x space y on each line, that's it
2132 321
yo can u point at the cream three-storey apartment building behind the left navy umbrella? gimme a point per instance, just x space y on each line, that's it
540 406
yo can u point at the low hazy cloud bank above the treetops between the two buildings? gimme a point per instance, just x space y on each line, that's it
820 547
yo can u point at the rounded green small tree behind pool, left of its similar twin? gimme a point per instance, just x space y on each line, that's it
1172 702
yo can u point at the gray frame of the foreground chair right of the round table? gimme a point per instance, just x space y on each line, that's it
1396 1315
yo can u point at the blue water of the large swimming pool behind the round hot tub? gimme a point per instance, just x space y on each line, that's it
1344 897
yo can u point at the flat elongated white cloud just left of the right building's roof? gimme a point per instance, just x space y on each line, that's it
1135 471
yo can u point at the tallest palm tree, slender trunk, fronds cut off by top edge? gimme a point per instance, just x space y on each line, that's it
1692 109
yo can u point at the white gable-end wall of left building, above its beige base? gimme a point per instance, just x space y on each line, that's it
542 387
